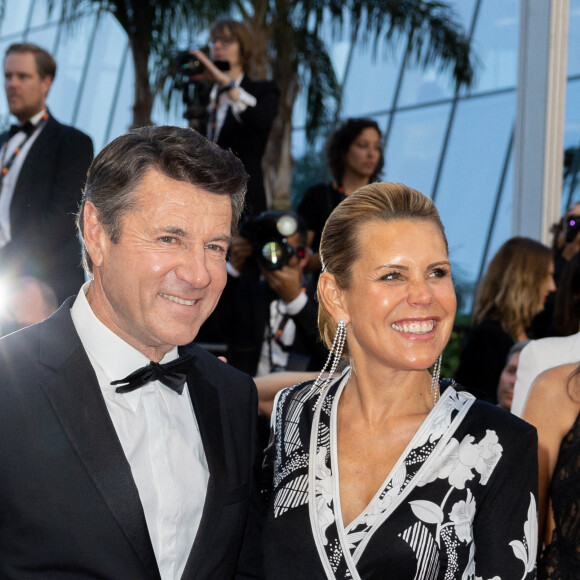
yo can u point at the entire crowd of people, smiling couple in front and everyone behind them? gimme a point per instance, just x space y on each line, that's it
130 450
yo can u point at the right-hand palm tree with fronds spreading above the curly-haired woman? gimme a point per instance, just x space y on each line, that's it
432 32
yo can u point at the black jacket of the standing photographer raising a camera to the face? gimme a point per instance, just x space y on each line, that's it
248 139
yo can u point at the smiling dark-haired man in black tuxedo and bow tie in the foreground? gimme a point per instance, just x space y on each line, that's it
122 455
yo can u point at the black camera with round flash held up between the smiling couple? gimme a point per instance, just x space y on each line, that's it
269 233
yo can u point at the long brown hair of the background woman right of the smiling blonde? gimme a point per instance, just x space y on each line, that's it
510 290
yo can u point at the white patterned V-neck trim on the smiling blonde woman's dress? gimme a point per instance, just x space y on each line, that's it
335 542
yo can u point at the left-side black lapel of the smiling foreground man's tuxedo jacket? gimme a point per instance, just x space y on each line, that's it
75 396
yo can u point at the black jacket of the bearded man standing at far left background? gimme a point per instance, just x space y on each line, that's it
44 242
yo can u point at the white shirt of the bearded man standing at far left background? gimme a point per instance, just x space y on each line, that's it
10 179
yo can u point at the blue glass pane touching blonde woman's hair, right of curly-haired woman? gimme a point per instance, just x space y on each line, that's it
414 146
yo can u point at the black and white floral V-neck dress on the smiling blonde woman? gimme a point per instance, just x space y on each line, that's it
460 503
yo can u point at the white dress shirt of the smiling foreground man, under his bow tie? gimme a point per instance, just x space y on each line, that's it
160 436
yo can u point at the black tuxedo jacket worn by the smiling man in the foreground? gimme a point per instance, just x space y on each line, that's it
69 507
